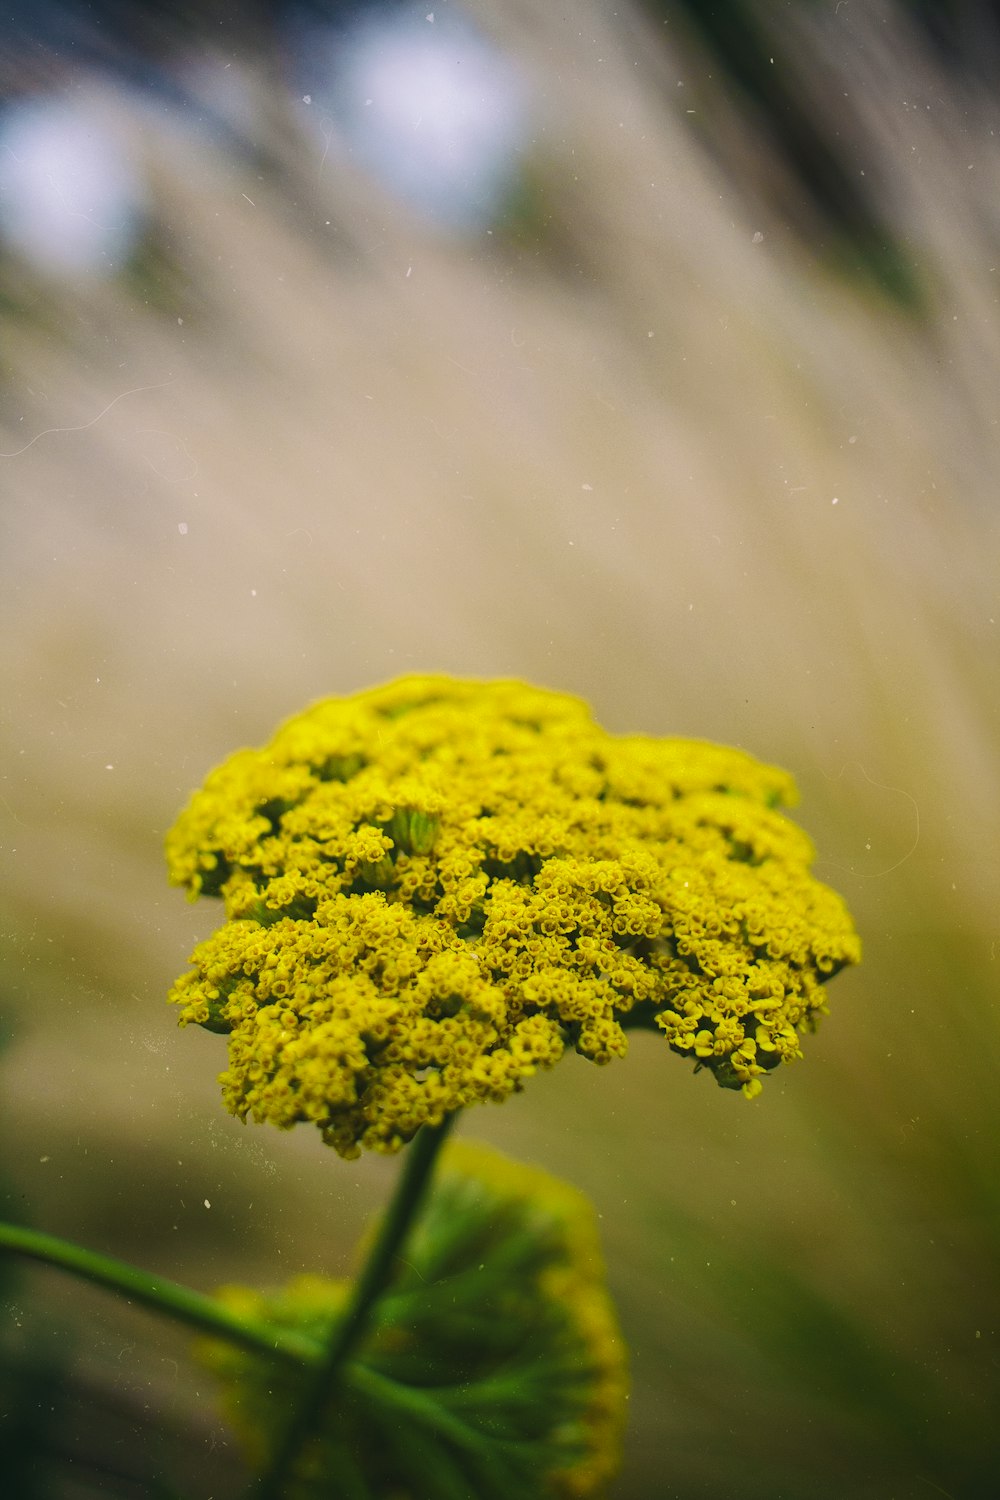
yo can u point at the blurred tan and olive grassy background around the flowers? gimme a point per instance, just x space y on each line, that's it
648 352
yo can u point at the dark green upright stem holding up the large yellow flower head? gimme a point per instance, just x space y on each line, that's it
370 1286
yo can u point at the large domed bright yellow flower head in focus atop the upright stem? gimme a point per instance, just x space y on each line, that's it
434 889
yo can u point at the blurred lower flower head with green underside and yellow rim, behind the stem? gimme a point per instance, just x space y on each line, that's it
503 1295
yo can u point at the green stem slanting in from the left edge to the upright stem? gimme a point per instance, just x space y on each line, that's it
161 1295
